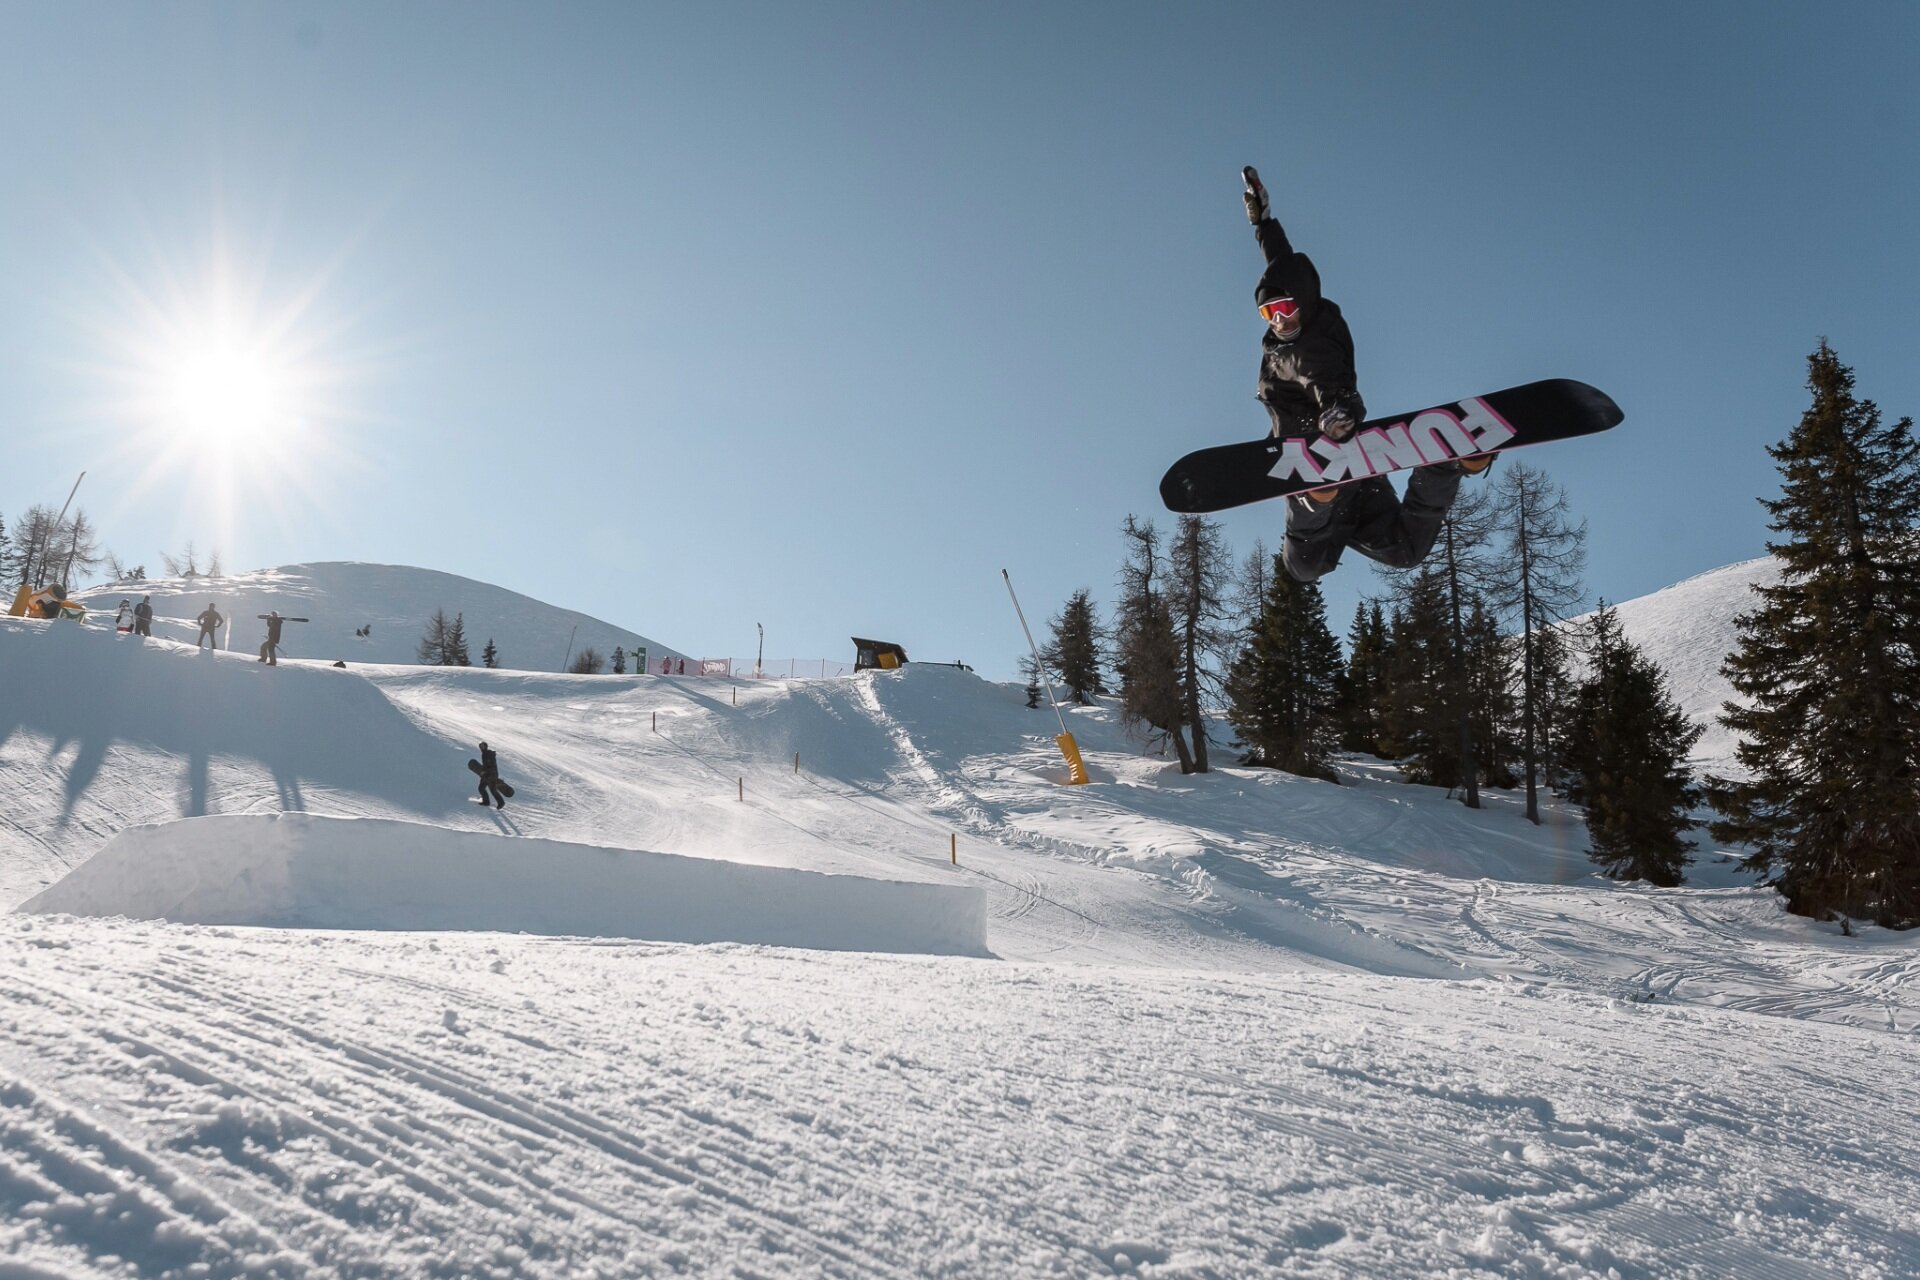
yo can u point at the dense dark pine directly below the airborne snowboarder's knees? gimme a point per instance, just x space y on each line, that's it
1282 694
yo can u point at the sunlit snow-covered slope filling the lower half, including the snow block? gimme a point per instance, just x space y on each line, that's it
713 997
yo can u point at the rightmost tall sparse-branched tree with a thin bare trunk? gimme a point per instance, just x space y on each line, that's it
1543 579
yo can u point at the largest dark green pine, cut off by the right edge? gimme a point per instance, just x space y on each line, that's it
1829 667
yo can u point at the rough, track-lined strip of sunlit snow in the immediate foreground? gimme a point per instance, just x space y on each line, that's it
441 1106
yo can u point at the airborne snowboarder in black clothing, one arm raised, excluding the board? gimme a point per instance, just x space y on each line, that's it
1310 389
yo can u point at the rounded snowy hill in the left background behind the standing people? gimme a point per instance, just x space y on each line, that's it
391 602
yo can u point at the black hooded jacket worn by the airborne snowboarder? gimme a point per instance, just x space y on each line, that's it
1316 369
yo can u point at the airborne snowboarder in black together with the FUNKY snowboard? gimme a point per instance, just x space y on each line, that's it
1322 452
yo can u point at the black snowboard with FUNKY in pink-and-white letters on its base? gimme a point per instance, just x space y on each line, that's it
1514 419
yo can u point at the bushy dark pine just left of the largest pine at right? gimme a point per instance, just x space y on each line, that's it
1629 746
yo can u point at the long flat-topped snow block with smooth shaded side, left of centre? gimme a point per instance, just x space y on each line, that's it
299 870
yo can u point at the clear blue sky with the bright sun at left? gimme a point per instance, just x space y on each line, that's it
819 316
